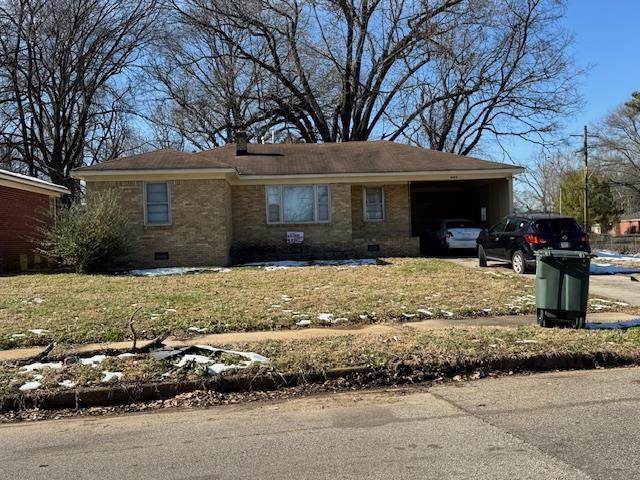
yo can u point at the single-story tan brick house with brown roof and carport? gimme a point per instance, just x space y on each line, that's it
245 202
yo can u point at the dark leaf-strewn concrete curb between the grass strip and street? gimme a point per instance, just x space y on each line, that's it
364 375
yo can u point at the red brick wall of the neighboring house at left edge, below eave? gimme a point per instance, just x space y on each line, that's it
22 214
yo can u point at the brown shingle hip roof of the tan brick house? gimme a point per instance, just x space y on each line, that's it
306 159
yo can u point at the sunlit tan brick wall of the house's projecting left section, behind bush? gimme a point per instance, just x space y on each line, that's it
200 233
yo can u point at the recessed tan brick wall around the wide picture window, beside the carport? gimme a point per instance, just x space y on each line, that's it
347 235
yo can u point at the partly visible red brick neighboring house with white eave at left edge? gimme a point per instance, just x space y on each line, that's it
26 204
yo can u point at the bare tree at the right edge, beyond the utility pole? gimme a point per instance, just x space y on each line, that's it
617 152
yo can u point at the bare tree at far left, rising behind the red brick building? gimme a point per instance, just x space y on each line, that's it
63 65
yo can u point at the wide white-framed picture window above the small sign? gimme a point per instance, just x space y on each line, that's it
298 204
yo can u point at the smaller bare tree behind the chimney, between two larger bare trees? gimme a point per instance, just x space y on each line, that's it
205 90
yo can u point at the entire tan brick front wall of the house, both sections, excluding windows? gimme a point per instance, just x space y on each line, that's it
211 219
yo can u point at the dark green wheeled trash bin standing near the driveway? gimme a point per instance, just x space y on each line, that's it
562 287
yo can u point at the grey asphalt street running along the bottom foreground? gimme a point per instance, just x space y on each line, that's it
569 425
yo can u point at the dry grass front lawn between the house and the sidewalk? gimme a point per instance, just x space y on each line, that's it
95 308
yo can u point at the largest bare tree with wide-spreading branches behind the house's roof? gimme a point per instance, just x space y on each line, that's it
441 73
